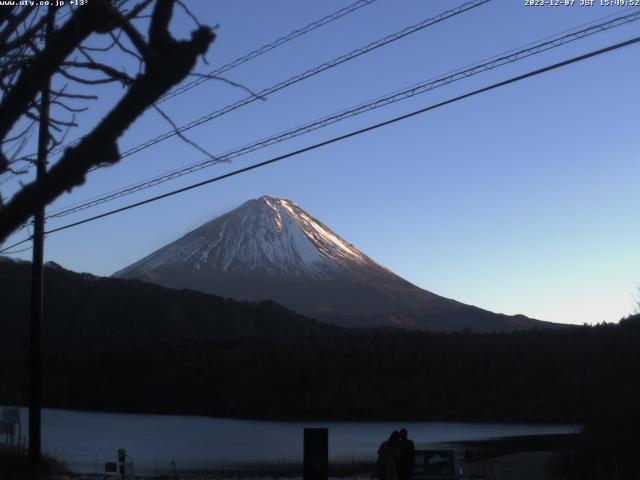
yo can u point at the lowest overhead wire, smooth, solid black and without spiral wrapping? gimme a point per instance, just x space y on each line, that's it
354 133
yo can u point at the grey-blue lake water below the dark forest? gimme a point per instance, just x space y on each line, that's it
86 440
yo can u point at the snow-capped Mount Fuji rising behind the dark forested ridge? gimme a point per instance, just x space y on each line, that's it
270 248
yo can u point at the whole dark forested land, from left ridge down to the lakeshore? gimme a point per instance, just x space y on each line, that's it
125 345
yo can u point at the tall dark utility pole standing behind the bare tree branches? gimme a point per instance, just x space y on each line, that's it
35 332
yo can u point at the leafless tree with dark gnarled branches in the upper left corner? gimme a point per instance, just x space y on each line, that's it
83 52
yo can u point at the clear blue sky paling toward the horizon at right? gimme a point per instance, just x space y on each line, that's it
521 200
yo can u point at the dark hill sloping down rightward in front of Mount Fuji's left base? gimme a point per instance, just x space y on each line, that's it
86 312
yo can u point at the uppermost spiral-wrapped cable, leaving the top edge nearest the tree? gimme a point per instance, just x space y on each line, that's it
332 17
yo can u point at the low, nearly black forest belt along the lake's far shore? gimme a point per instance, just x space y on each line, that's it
572 375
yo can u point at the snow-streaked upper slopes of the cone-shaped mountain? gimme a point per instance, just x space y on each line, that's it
273 235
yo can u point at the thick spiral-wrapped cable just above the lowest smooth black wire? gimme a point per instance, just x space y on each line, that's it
397 96
